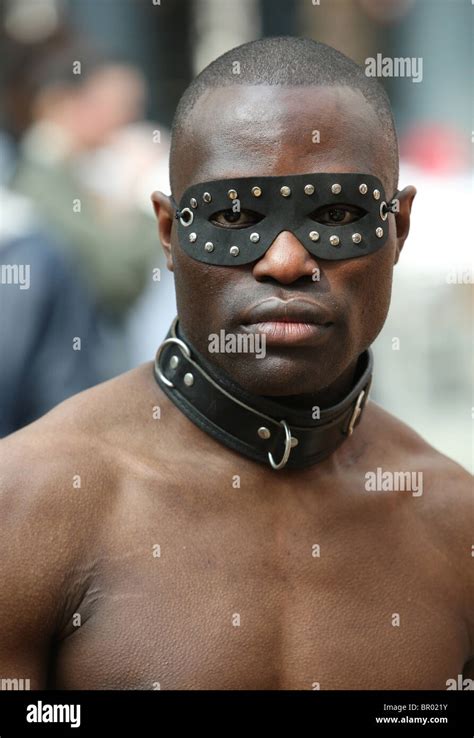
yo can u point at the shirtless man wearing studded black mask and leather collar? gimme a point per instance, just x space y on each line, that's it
165 530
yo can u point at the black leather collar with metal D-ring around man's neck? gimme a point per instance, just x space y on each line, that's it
257 427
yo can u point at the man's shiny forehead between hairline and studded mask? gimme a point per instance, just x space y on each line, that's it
271 130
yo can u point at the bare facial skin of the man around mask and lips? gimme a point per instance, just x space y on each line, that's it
356 291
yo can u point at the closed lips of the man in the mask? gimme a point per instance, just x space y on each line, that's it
283 322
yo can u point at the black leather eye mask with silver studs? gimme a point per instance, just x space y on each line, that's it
266 206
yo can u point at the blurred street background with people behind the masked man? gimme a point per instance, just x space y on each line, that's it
88 90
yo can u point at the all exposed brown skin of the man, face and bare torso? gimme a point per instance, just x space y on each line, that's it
227 552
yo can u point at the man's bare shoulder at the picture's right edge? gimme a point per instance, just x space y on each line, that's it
438 509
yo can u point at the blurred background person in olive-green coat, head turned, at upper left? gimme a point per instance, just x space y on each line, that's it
80 101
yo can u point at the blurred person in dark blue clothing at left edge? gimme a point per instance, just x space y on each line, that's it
48 338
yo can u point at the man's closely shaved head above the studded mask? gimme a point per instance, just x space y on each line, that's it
288 93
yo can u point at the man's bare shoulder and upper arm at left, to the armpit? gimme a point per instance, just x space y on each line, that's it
60 483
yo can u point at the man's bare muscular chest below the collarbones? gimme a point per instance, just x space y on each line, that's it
307 597
